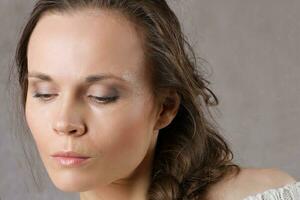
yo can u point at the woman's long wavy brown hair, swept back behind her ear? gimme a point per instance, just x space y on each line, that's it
190 154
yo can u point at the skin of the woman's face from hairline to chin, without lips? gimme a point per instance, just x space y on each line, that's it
70 51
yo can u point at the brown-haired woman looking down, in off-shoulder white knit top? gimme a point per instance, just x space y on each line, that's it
117 107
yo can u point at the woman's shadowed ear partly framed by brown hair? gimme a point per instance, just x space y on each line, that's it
169 105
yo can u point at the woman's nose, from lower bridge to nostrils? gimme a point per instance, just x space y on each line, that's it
69 121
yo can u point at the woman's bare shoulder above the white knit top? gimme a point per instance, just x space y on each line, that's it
248 182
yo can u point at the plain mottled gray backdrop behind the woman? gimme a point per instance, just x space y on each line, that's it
252 47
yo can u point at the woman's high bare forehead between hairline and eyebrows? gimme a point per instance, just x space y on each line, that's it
72 45
